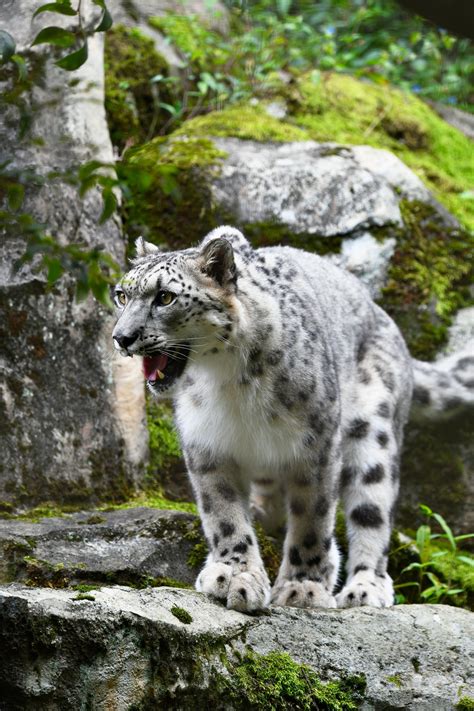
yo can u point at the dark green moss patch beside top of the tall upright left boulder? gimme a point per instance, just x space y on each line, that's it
132 94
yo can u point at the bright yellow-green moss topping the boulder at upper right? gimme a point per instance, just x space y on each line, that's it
337 107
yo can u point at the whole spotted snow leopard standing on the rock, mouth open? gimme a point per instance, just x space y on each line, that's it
291 389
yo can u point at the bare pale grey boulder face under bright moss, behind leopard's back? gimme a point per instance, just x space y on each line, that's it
308 187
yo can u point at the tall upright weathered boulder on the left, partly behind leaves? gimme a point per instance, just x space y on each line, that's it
72 420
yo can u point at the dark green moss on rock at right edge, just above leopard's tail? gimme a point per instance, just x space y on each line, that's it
428 278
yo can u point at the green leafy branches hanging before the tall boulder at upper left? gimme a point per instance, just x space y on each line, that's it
93 269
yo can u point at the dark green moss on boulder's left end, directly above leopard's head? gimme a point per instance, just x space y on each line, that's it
170 199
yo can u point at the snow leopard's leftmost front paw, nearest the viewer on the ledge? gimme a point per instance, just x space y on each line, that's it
246 591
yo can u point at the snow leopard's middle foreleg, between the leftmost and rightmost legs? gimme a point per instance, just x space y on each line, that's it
310 564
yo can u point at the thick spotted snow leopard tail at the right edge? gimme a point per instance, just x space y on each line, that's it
444 388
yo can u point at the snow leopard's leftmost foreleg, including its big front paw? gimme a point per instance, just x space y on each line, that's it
234 571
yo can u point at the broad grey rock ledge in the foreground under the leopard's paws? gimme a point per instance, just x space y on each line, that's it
126 647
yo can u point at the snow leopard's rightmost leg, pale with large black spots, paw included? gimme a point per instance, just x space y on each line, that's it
369 480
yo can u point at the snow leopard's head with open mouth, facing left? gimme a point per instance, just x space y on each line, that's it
175 306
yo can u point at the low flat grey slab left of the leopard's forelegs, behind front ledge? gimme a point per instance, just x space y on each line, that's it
127 545
